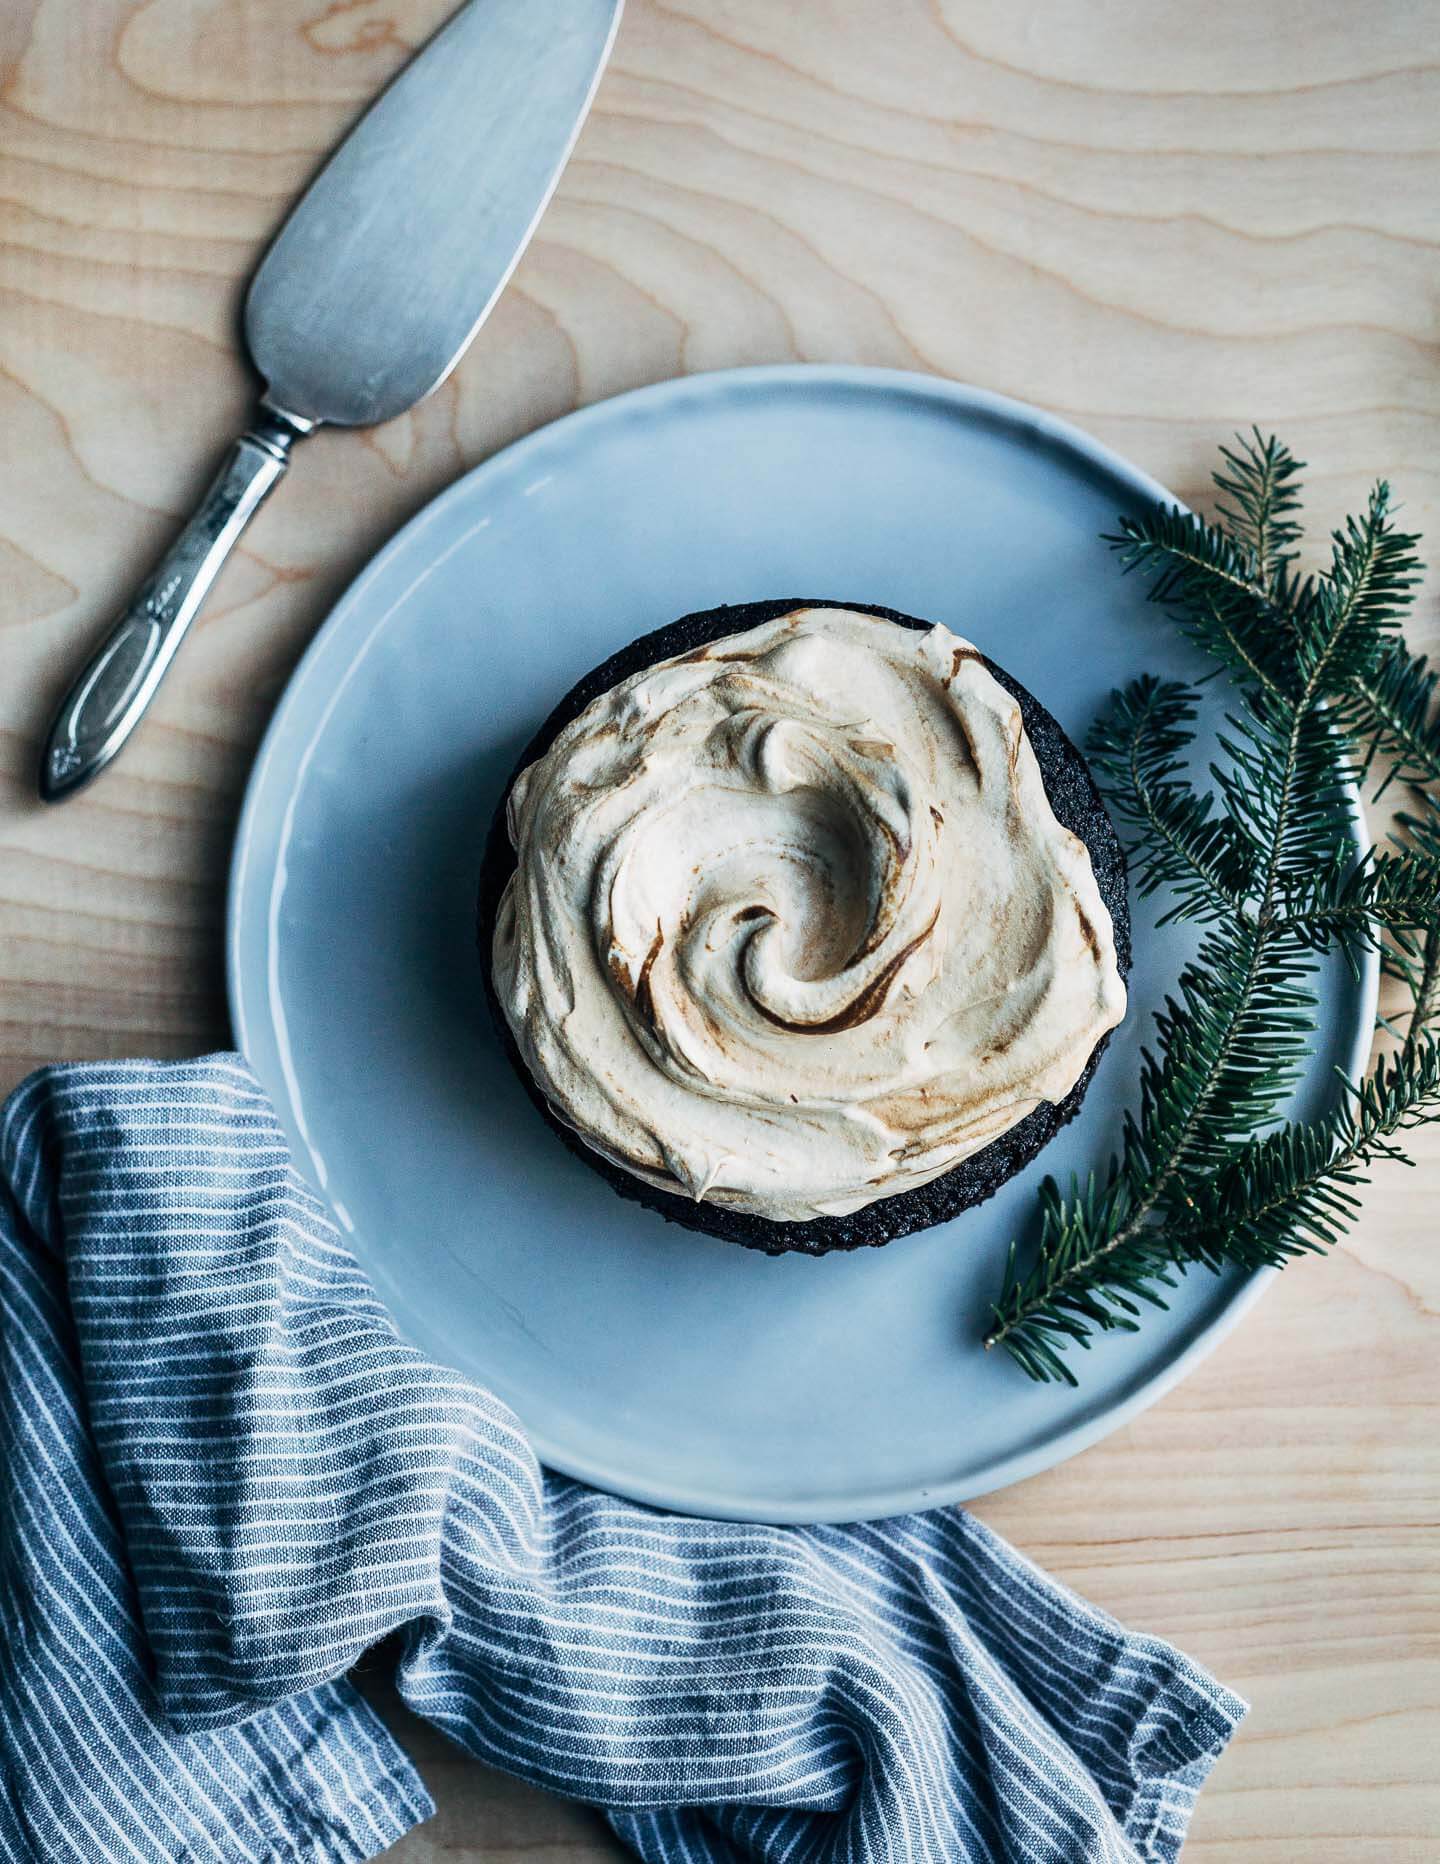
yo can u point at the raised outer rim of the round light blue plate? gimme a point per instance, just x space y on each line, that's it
960 400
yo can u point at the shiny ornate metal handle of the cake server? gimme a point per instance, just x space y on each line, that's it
111 696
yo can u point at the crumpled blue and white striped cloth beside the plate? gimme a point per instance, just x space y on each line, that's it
226 1477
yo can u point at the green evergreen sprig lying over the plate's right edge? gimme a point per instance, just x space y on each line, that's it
1324 692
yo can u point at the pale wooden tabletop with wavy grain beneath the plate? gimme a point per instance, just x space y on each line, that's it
1162 221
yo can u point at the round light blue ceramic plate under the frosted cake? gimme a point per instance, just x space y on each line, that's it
644 1358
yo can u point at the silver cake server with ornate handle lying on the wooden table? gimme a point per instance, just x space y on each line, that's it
366 301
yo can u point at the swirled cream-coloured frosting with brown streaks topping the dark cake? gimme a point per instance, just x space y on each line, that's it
793 924
